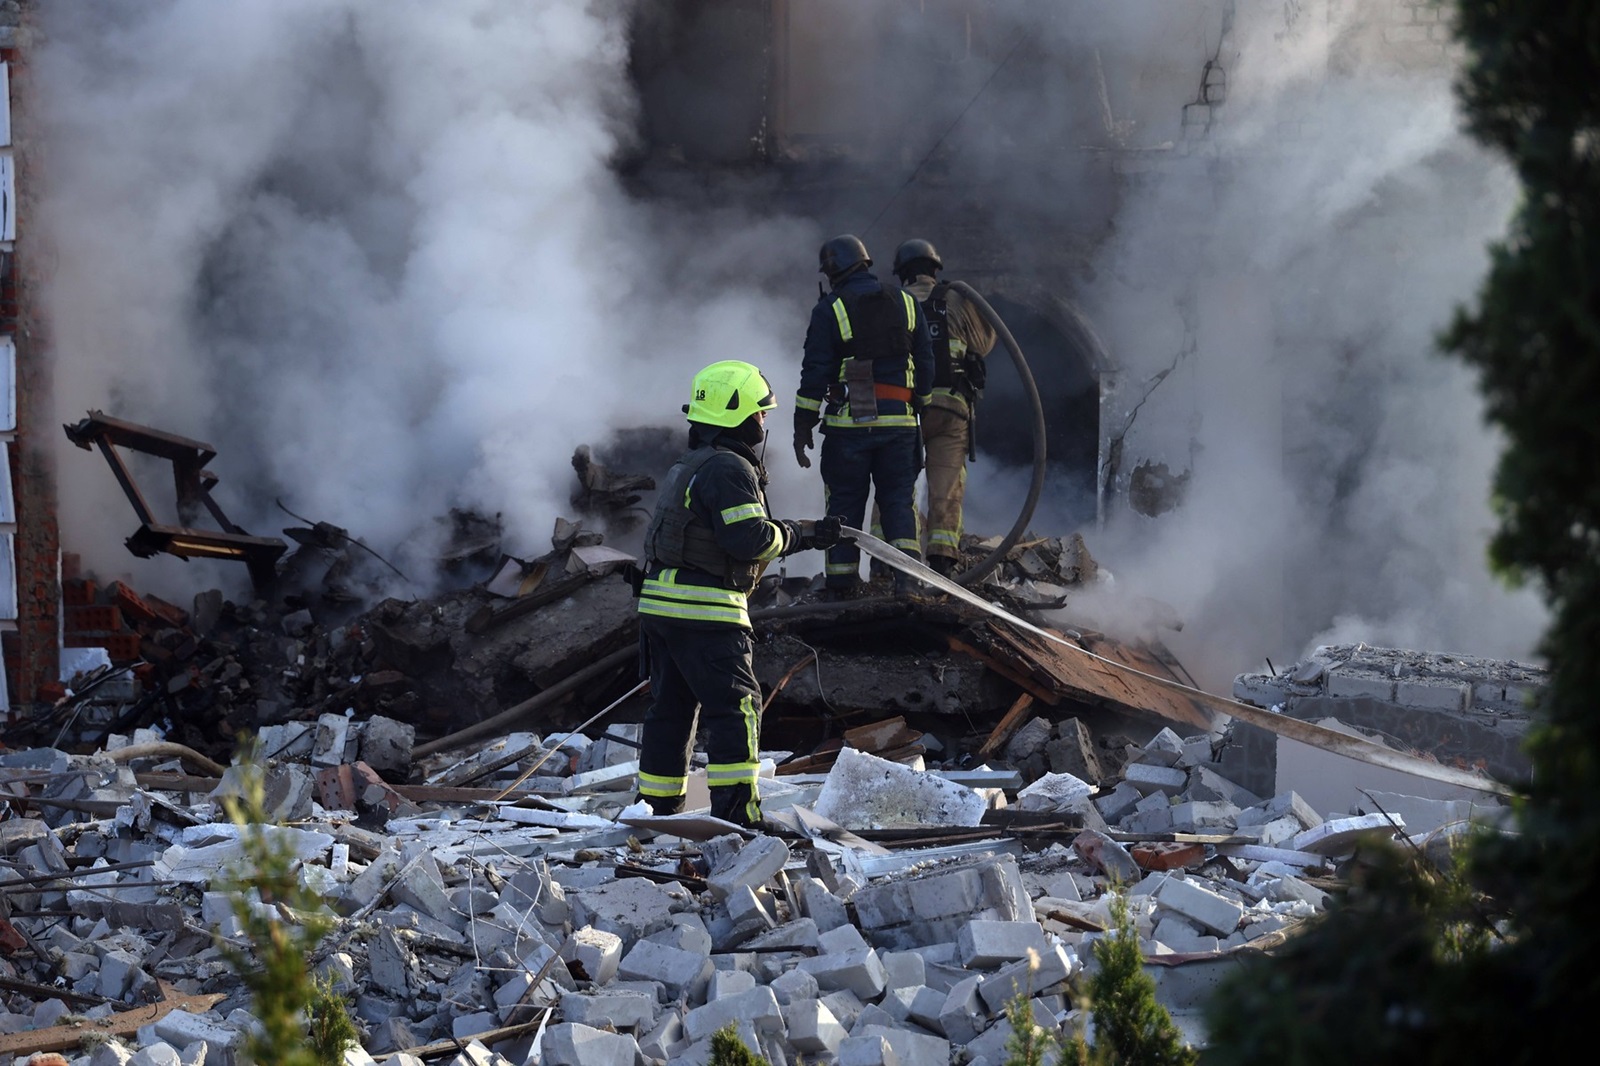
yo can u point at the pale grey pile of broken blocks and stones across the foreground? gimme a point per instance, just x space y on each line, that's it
566 926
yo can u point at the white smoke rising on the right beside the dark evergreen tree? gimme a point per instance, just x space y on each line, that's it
1342 465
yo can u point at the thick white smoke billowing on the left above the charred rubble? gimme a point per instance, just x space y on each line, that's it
374 252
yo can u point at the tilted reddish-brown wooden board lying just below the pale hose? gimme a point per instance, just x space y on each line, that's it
1062 673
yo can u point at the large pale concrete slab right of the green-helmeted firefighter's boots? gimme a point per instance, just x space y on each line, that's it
868 793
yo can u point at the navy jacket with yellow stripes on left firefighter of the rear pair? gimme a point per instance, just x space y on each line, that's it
825 358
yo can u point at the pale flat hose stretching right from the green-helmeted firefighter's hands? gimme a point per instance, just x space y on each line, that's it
1321 737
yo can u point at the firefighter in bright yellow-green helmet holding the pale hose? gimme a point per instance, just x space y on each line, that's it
706 547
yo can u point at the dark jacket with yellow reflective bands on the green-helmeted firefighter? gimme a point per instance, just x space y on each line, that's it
711 537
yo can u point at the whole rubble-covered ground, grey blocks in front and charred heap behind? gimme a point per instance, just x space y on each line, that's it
950 795
